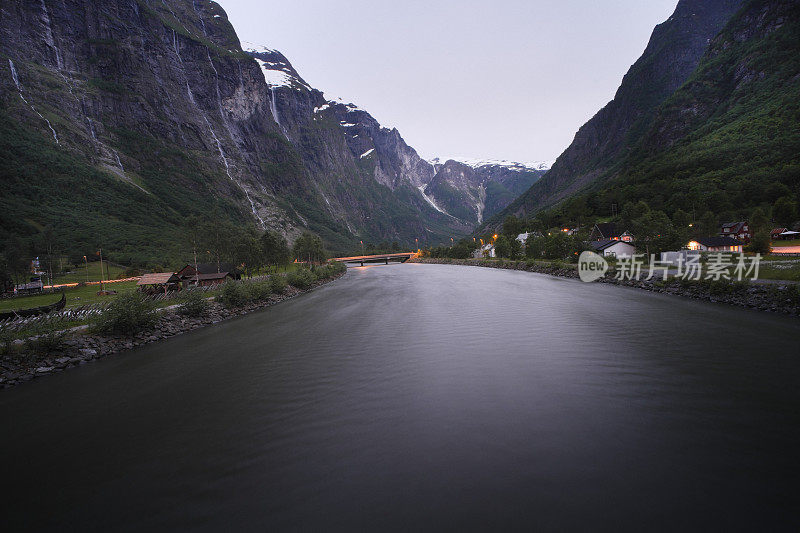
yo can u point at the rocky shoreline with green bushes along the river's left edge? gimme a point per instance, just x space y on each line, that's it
81 348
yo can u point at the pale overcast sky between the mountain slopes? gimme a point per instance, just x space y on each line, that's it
501 79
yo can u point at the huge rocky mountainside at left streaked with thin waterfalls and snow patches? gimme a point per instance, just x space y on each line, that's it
121 119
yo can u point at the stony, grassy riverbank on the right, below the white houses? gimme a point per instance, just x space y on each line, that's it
776 298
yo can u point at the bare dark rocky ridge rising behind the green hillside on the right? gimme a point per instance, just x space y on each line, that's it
671 56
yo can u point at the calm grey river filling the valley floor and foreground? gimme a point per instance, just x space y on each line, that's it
424 397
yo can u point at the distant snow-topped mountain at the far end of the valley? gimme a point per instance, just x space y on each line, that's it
473 190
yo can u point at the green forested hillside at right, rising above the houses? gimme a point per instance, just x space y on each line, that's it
727 141
